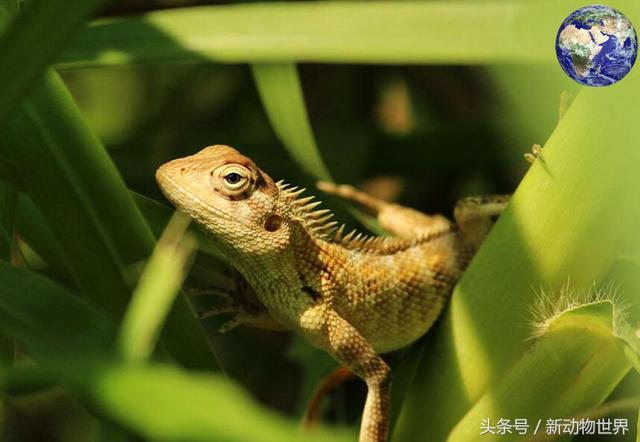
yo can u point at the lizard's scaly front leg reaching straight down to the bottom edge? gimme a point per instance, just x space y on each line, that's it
351 349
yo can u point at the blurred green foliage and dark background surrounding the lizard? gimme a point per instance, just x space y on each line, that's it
440 105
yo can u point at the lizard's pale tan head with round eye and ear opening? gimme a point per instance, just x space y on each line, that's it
229 196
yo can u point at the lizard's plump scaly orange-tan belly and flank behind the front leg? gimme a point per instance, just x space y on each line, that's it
393 300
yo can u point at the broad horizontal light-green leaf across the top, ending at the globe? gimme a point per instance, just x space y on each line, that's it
462 32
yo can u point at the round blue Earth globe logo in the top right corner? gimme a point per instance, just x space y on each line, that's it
596 45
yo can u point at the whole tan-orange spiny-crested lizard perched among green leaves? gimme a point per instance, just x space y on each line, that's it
353 296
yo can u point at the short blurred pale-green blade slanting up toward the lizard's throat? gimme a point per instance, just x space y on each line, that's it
156 291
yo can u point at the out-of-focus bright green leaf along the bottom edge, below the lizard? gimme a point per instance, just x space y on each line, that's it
163 403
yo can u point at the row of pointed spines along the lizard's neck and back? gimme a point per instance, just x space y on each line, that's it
317 222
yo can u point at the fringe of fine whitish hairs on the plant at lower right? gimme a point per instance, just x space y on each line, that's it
549 306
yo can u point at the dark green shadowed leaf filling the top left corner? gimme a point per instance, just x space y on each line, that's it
25 53
